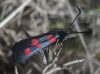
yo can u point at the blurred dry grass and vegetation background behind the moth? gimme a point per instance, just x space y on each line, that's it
40 16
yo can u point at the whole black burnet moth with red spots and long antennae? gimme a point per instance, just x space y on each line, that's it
24 49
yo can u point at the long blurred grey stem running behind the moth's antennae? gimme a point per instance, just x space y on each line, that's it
89 57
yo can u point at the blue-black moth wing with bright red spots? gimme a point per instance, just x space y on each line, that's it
24 49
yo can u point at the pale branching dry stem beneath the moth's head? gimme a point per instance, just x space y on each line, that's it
55 65
